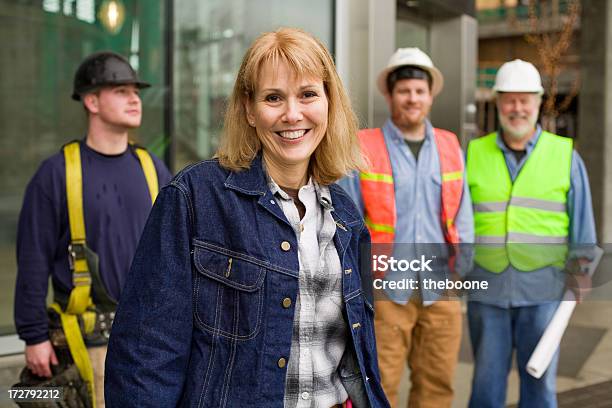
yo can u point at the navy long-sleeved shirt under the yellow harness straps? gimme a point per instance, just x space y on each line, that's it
116 204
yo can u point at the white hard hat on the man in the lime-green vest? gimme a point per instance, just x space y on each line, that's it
518 76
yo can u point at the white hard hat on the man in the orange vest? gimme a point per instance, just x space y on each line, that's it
413 57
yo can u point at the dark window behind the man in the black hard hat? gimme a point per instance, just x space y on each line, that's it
42 45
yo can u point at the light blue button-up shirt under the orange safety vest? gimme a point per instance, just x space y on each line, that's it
418 189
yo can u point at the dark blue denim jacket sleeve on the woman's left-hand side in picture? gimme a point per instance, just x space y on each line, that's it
149 348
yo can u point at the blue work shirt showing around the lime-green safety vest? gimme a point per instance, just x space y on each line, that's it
512 287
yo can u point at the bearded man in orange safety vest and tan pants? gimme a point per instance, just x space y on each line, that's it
412 196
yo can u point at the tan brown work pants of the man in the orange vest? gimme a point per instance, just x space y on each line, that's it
428 339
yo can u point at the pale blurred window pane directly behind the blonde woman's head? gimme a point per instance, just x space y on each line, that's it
211 38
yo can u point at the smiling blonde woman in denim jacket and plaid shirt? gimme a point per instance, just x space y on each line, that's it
246 289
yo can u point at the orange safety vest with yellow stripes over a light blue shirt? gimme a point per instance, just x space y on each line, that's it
378 190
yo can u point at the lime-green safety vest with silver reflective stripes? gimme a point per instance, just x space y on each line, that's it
528 217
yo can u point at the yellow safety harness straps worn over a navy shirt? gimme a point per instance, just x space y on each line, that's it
80 303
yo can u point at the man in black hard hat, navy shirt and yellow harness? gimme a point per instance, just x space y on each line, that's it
82 216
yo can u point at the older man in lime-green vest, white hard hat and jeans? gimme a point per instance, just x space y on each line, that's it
531 197
